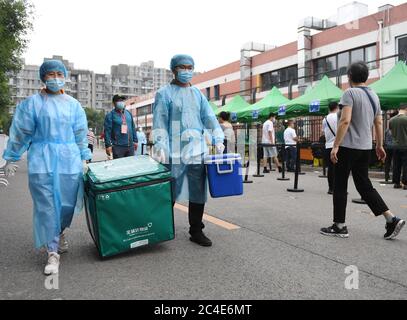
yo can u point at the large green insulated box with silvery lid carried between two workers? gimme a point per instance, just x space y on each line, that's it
128 204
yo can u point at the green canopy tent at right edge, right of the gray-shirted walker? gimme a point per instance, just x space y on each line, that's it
392 88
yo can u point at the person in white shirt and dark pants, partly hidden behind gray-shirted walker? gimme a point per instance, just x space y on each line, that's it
330 126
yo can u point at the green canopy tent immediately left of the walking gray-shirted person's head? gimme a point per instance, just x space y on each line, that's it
314 102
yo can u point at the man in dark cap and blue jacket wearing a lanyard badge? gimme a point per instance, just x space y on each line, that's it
120 132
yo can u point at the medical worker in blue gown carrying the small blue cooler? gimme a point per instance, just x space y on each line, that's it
182 118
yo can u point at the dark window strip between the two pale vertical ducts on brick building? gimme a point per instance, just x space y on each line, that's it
279 78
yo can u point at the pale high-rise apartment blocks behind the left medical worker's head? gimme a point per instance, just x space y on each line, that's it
91 89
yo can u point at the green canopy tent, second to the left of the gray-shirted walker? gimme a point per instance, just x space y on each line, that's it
261 110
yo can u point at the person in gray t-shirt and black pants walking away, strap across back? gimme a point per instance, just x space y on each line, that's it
360 112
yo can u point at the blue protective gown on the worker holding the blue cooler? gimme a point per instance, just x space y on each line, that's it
182 117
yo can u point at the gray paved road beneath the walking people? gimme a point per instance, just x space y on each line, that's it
275 253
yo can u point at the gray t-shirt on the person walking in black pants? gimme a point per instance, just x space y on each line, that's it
359 135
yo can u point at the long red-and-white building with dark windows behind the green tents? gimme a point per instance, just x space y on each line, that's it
323 47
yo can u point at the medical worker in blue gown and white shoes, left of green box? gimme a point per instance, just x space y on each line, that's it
53 127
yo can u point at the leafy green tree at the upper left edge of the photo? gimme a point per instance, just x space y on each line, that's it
15 24
